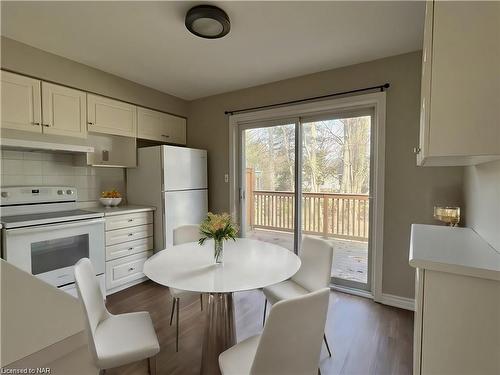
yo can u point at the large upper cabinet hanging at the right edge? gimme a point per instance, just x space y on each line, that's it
460 107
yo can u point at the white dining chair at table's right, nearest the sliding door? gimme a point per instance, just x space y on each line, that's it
314 274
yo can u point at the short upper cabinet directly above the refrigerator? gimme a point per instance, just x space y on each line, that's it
159 126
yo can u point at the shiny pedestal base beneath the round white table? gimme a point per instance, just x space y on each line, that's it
220 332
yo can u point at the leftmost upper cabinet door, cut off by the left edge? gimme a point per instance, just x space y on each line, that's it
21 107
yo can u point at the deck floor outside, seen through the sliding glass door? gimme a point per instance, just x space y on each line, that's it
350 258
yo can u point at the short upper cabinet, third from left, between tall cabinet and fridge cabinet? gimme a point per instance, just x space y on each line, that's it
111 116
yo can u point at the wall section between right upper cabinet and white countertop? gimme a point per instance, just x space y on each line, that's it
482 201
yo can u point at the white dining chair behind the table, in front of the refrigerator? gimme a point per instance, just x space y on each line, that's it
183 234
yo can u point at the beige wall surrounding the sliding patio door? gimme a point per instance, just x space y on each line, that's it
410 192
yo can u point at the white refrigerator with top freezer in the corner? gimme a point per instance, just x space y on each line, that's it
174 181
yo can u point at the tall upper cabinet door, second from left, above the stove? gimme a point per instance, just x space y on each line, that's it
64 111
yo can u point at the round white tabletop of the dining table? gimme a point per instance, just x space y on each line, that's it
248 264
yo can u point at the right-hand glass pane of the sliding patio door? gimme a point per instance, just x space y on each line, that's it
335 181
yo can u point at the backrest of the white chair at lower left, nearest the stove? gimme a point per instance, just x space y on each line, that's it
92 300
